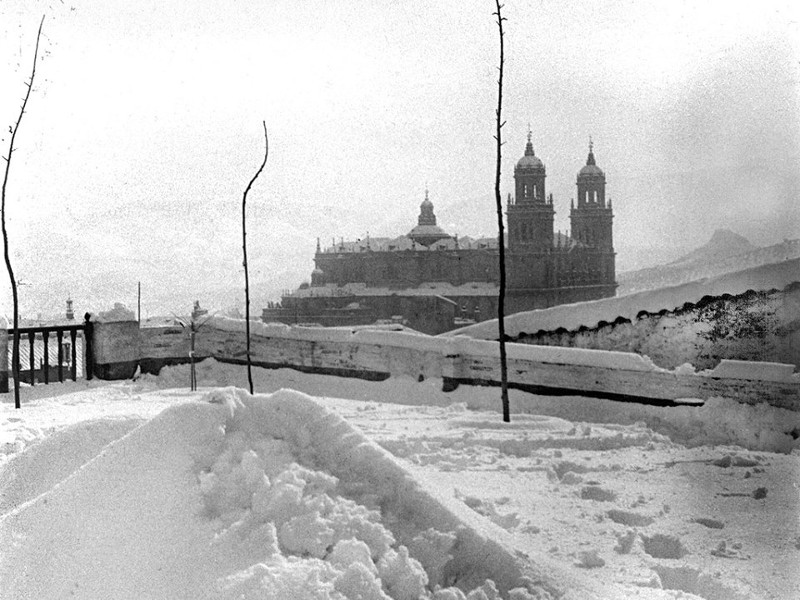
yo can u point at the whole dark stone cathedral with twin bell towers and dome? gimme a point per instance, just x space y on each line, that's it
432 281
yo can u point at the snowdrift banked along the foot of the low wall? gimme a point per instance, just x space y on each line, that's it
697 423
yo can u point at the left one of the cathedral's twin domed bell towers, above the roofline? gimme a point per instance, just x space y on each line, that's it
530 213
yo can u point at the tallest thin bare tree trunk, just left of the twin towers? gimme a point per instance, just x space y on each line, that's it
501 300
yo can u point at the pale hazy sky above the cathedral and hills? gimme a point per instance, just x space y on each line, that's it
145 126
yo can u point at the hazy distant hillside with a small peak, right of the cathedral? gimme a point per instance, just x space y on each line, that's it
726 252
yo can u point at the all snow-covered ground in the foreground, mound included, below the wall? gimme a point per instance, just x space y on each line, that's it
389 489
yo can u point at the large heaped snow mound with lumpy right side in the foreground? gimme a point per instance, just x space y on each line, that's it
238 496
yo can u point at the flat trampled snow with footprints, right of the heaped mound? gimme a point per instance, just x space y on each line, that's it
583 501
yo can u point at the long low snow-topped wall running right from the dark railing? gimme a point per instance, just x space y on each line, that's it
382 354
